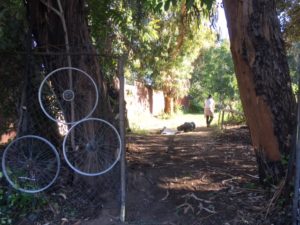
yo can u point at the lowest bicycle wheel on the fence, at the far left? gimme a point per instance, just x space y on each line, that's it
30 164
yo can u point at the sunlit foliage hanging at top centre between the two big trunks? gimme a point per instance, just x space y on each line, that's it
160 39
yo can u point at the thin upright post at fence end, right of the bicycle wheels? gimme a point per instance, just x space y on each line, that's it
122 135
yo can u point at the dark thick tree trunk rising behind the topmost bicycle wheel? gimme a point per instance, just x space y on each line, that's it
50 35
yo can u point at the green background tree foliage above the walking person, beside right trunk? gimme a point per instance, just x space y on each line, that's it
214 74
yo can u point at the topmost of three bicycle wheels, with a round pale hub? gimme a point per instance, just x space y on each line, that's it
67 95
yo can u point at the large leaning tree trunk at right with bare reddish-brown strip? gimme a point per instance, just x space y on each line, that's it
263 78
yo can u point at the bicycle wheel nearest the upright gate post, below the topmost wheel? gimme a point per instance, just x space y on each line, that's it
92 147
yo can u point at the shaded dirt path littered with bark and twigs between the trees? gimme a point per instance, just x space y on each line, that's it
195 178
